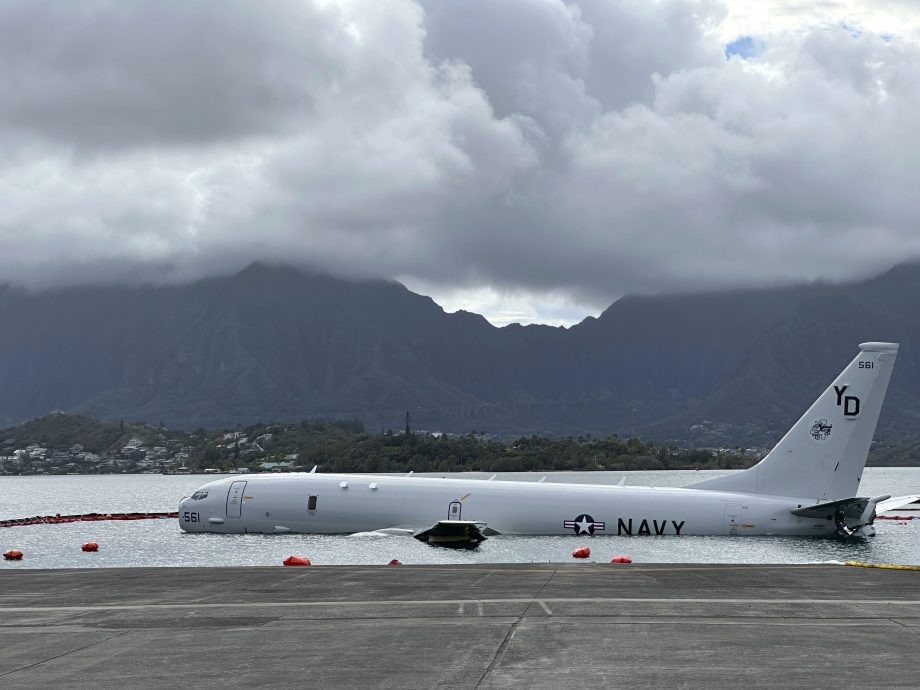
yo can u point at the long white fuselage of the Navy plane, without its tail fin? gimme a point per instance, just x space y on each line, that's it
345 504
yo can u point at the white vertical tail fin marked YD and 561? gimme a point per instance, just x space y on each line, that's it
823 455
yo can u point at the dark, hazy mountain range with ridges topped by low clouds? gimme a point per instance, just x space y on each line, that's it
275 343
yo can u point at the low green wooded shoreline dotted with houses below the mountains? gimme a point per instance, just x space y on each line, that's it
345 446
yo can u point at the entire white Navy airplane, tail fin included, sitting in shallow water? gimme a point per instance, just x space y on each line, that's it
806 485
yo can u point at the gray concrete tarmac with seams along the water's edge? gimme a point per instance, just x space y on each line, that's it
475 626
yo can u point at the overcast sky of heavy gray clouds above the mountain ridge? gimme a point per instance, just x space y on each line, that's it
529 160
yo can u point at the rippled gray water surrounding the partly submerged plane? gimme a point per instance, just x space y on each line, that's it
162 543
